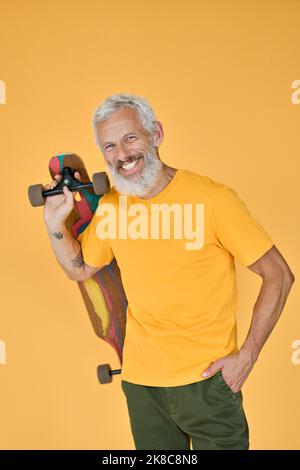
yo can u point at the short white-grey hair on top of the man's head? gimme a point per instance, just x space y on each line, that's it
115 102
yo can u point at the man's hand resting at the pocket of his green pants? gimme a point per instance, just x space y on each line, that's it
235 369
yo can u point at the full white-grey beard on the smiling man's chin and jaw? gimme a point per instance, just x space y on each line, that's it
147 178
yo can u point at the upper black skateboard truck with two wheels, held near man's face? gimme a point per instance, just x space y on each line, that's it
37 193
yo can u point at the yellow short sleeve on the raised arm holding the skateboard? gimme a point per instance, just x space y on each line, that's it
96 252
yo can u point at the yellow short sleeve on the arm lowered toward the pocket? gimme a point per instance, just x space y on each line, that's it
236 229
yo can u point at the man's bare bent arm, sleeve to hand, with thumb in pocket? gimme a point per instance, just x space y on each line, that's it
277 282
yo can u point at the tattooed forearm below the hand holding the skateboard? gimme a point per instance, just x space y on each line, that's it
67 251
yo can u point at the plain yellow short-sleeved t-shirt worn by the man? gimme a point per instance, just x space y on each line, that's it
182 302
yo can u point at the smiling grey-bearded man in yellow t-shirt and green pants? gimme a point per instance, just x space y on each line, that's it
182 370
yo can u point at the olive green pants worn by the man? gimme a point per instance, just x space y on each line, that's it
207 412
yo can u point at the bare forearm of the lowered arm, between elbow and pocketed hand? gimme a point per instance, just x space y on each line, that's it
266 312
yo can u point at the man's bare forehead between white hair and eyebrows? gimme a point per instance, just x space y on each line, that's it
119 123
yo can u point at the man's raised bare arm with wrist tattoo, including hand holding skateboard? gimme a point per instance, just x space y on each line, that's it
66 248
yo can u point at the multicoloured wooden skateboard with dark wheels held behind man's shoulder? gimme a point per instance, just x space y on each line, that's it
103 294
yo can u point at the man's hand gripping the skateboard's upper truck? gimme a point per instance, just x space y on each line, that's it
58 208
